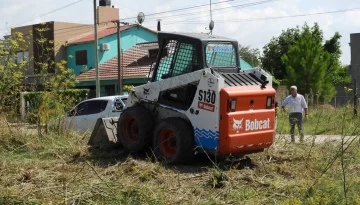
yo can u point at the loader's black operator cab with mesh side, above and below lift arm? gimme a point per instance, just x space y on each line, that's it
182 53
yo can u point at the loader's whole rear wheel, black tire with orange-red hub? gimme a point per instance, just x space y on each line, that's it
173 141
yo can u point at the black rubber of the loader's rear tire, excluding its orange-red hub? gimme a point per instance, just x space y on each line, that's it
184 136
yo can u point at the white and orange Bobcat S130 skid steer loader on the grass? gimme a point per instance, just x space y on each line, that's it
197 100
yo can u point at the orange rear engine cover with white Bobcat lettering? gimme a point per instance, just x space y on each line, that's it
250 126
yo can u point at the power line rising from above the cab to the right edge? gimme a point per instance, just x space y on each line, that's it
267 18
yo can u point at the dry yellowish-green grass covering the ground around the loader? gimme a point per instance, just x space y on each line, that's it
53 169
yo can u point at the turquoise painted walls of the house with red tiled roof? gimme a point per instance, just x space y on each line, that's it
128 39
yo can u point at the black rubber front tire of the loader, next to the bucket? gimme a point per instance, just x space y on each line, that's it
143 118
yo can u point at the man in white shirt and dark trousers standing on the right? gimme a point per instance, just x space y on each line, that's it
297 104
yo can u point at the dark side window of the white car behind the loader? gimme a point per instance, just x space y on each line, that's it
89 108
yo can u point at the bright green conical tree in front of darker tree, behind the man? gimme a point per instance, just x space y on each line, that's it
308 64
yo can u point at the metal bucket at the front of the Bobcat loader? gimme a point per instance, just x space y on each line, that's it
104 135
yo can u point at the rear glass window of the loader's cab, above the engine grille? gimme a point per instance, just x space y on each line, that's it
220 55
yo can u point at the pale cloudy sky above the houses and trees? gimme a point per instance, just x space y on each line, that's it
250 22
